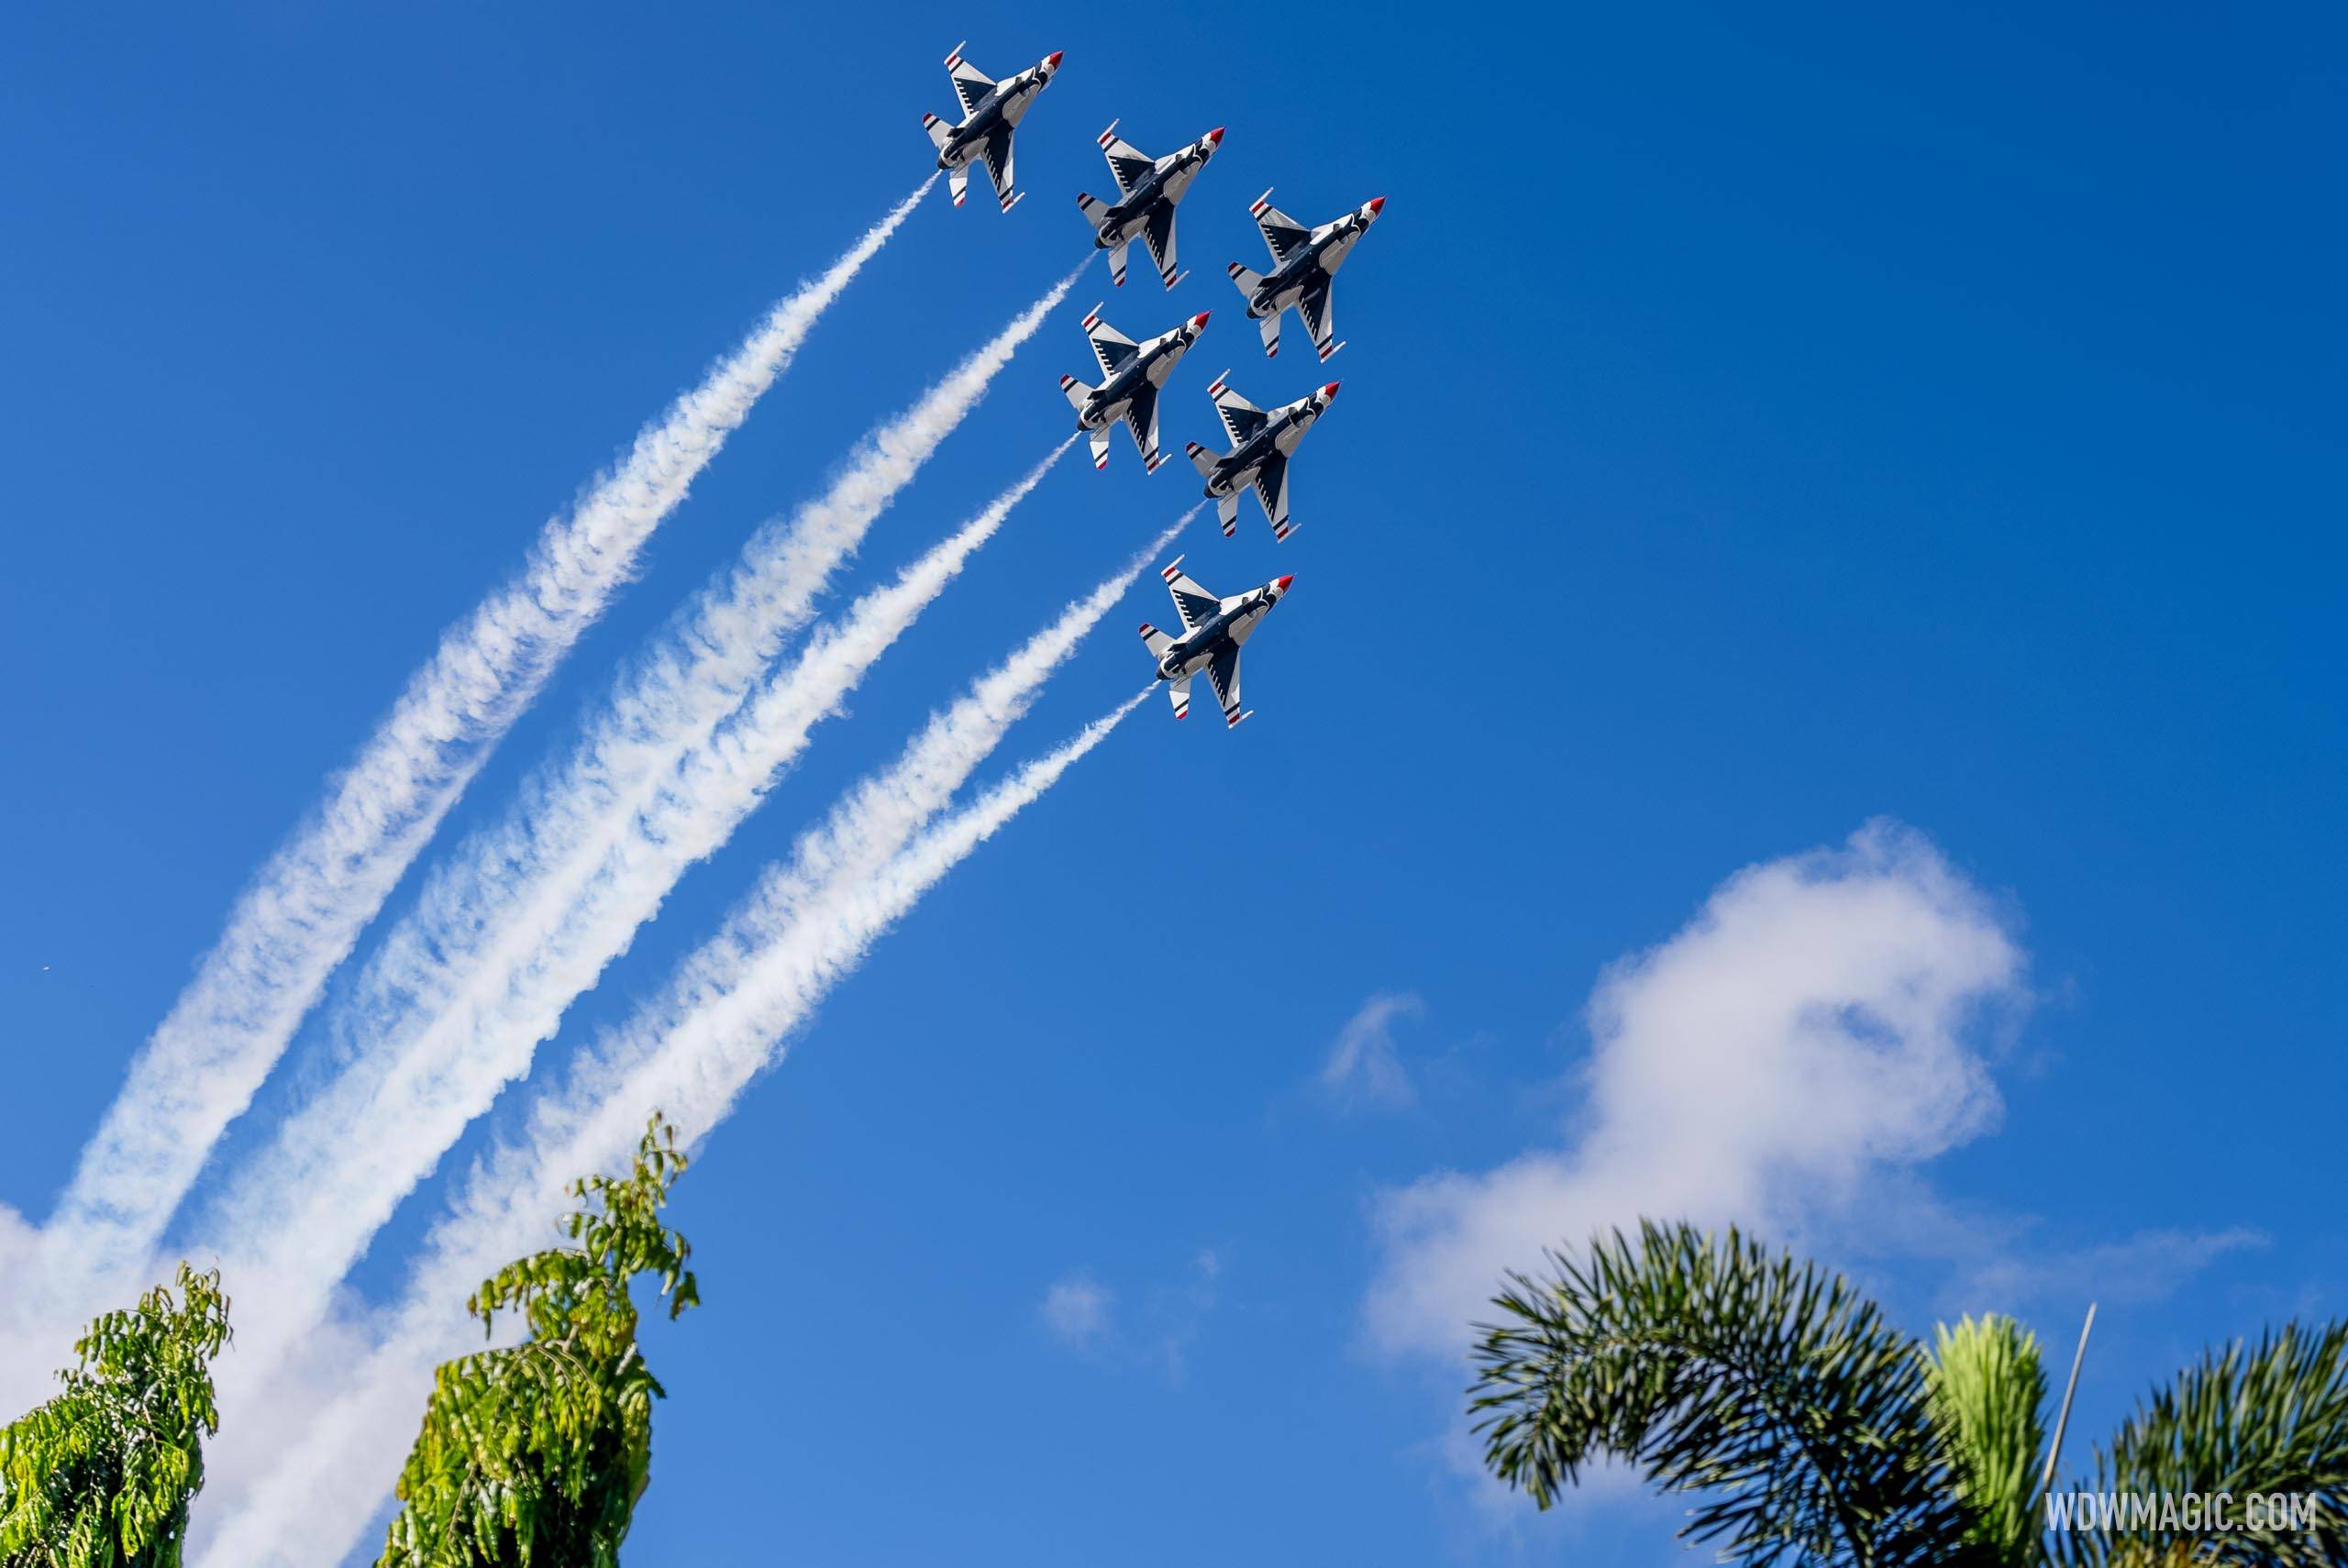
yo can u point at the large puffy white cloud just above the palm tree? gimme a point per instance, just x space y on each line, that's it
1814 1027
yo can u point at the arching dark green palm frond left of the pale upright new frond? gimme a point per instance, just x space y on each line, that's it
1725 1370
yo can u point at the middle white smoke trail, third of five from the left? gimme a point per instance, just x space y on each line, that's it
304 1215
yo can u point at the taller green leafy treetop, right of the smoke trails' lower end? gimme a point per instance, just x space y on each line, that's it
539 1454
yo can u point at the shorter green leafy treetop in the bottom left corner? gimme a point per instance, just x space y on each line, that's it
102 1475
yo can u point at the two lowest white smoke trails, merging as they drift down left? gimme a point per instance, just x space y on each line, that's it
807 928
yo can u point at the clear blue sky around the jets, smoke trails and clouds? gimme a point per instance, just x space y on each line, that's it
1753 428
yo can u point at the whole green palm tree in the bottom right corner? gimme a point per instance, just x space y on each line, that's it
1816 1433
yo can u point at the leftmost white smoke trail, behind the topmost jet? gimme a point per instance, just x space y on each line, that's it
313 898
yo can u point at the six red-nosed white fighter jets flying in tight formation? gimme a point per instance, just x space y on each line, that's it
1133 374
